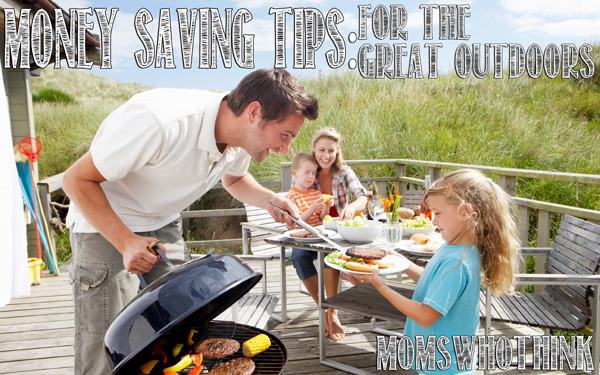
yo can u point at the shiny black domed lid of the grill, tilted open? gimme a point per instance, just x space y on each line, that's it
194 293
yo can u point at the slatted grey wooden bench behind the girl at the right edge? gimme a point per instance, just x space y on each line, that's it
570 280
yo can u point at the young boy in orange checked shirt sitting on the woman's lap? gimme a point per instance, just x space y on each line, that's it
313 205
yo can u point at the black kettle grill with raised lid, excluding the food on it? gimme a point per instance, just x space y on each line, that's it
188 297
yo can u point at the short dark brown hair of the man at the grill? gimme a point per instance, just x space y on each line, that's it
278 93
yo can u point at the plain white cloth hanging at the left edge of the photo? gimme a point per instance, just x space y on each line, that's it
14 280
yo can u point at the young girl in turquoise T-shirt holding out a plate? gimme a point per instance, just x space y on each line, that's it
473 215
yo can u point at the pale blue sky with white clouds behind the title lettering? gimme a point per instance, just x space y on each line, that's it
491 21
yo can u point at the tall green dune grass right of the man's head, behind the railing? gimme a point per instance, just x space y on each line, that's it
533 124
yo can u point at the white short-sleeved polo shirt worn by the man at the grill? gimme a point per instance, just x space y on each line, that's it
158 154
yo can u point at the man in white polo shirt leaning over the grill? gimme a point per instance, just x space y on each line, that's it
151 158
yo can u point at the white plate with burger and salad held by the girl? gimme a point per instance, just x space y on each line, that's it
363 260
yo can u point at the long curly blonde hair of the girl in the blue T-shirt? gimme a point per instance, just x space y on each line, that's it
492 222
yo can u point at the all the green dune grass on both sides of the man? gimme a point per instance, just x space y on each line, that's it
547 124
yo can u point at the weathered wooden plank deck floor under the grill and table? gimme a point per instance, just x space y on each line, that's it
36 332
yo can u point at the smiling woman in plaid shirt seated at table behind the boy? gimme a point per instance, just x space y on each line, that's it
341 182
